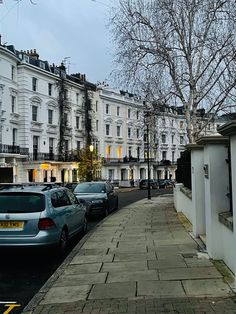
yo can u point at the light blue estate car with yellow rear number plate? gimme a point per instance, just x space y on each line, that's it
39 215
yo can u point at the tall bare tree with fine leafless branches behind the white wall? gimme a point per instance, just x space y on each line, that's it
179 52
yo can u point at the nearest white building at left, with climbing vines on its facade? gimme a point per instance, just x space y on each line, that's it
31 116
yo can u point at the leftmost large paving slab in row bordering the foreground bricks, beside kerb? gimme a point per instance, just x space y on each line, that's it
66 294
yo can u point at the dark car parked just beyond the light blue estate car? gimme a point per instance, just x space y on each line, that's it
99 197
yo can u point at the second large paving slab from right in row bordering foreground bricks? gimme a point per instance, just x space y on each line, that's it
160 289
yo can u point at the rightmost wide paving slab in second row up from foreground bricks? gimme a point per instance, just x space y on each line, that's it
189 273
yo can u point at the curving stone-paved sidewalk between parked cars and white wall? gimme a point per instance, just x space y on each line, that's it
138 260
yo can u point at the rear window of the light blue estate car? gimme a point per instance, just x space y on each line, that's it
16 202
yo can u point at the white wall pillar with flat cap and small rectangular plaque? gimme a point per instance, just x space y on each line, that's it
216 184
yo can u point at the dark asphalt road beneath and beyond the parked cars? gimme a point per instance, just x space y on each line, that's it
23 272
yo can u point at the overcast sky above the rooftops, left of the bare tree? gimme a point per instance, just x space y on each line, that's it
62 28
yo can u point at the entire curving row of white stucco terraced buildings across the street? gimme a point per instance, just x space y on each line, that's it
45 116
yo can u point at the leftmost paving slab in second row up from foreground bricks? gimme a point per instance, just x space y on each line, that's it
83 279
